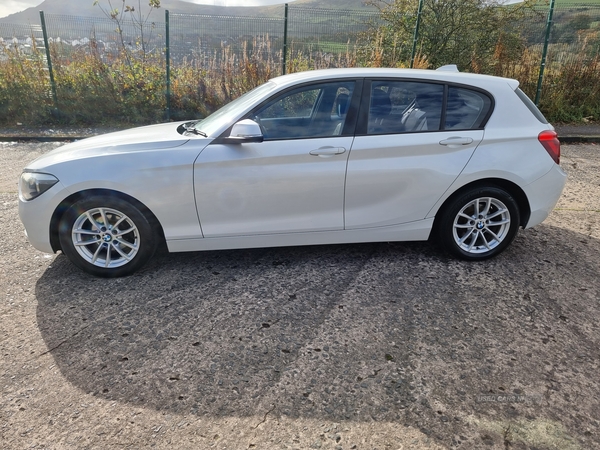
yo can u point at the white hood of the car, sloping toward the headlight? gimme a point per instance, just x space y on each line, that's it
148 138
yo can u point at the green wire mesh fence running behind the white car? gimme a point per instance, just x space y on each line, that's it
191 64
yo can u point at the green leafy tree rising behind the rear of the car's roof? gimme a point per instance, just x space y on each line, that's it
462 32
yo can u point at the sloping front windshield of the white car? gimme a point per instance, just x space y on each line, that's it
225 116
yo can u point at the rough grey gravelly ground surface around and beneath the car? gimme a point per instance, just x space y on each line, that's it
375 346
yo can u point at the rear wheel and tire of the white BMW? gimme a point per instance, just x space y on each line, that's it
479 224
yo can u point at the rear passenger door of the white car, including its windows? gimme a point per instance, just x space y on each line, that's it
413 140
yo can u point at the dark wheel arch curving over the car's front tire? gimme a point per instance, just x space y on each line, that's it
67 202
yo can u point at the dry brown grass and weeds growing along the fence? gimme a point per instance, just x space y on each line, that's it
95 87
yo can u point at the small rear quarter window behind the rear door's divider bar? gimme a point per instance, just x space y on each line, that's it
466 109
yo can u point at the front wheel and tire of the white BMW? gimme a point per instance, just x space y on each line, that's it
116 250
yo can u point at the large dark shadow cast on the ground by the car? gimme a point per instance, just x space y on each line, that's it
506 350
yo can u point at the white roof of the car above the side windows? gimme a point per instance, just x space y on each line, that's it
425 74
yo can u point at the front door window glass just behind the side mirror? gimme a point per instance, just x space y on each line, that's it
306 112
